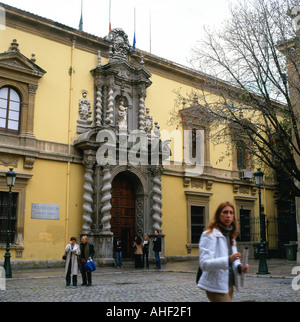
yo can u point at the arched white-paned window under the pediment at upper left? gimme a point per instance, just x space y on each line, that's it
9 110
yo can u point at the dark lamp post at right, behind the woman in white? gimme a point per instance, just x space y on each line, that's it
263 268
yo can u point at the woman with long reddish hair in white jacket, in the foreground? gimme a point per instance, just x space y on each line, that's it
219 258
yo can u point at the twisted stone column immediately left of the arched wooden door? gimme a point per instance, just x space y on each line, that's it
106 201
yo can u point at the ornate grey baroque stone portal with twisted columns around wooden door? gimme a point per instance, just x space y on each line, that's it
123 200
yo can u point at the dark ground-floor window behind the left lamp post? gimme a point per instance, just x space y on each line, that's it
4 208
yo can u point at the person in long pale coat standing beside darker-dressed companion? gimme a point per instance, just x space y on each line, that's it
72 251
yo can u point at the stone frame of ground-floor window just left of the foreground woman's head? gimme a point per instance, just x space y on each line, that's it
200 199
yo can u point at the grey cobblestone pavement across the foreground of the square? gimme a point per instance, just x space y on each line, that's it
131 285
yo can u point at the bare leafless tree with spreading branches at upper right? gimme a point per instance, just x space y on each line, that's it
248 91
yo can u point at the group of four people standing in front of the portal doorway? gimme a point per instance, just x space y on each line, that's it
140 251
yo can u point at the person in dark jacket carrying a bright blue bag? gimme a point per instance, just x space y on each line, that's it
86 252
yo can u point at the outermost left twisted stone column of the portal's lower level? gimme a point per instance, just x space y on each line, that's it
88 193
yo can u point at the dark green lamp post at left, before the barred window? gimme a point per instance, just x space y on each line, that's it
10 181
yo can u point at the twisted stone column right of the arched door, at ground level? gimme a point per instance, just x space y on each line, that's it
156 198
